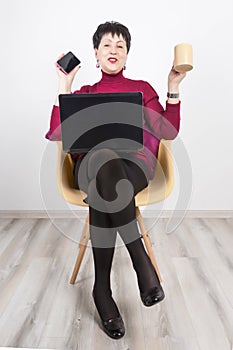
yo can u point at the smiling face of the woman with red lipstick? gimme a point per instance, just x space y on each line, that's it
111 53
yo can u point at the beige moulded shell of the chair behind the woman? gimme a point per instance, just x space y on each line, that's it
158 189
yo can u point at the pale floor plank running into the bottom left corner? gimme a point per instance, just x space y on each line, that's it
21 312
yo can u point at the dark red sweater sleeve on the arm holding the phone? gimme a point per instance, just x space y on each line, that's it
54 133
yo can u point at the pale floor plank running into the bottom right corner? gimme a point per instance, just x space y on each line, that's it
207 324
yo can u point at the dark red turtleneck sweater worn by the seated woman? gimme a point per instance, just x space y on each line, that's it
158 123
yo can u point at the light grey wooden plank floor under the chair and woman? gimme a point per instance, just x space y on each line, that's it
40 309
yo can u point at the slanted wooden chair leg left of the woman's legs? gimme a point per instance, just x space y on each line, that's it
82 248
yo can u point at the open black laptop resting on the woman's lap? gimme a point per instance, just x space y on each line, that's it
101 120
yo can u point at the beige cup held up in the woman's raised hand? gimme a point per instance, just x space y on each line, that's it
183 57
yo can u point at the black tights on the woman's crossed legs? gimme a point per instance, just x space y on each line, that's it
111 183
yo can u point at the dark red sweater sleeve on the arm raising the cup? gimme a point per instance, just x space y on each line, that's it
164 123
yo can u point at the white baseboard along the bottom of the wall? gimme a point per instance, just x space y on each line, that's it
37 214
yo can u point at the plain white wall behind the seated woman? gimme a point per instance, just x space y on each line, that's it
34 33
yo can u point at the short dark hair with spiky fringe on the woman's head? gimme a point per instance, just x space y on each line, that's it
113 28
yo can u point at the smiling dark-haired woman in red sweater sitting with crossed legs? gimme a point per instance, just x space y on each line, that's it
111 43
